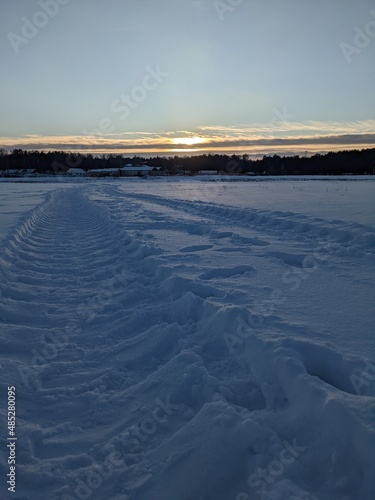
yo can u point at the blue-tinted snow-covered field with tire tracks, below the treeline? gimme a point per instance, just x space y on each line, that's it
189 339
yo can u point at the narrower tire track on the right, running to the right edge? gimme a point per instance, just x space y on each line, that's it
346 239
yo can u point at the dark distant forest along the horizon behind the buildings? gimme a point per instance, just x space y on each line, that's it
356 162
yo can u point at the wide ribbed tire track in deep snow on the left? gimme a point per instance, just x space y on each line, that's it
136 347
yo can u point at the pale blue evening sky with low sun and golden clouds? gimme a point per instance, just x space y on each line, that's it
184 77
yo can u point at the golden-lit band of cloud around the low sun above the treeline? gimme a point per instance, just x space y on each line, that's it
276 136
